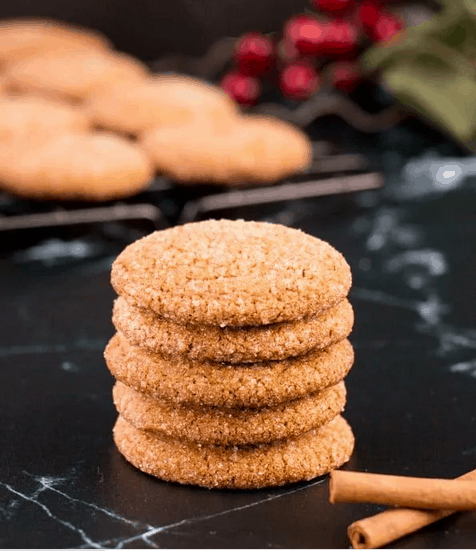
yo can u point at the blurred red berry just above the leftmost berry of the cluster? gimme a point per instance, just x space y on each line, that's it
254 54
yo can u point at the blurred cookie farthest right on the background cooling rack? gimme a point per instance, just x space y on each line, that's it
255 149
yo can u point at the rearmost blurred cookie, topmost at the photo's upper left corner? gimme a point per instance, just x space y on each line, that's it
23 37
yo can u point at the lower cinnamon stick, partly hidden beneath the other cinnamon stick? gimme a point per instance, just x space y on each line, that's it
379 530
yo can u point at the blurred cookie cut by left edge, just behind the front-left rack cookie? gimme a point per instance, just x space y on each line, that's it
32 118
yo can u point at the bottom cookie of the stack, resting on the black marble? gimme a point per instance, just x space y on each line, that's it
304 457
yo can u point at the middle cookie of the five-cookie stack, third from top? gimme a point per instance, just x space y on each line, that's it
251 385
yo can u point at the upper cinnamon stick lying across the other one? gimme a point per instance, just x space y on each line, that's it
417 493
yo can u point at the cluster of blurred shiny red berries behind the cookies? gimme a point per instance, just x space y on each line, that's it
311 48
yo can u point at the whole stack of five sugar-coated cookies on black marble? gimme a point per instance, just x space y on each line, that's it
230 354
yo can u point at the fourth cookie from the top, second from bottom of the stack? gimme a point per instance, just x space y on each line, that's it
236 426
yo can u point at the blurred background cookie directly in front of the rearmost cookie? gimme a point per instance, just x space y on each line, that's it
74 73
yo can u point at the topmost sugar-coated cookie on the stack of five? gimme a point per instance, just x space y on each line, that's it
237 273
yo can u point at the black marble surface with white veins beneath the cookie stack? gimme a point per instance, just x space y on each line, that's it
411 393
